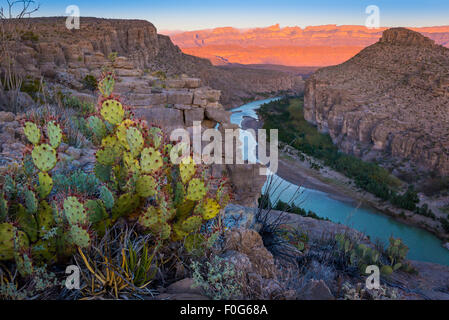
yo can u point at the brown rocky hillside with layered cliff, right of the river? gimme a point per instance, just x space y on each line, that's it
392 99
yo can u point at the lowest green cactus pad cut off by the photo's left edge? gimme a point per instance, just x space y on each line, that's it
11 241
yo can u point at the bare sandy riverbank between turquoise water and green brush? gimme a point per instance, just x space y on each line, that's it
296 168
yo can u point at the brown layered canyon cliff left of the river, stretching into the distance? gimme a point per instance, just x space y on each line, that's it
67 56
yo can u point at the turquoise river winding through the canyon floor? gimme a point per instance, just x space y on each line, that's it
423 245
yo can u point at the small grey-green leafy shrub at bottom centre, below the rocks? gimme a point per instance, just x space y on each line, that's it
218 279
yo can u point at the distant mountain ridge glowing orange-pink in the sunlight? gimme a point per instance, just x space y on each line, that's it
292 46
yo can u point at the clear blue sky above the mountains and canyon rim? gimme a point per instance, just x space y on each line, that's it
202 14
